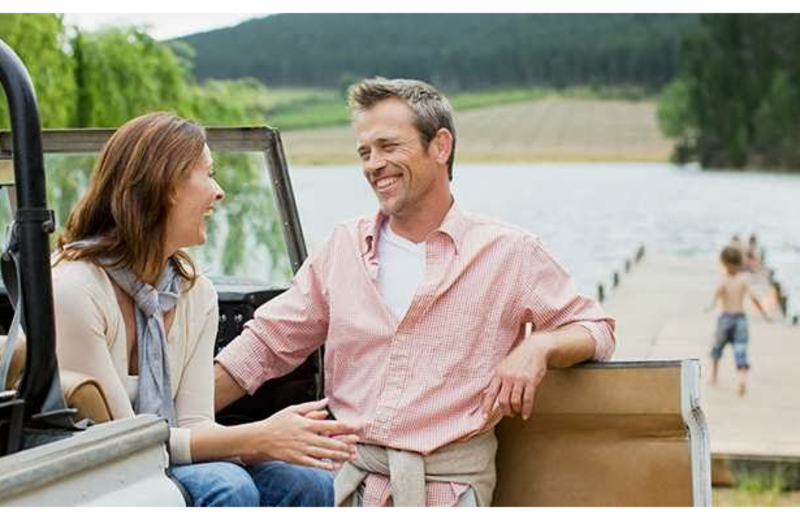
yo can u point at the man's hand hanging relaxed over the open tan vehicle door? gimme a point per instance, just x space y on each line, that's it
513 387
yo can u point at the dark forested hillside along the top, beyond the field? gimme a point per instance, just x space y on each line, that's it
455 49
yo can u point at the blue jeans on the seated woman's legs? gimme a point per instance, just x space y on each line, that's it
271 485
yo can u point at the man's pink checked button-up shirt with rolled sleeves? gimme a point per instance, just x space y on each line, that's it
415 384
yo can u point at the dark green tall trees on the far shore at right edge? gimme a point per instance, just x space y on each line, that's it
739 91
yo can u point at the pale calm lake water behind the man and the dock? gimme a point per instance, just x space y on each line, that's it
594 216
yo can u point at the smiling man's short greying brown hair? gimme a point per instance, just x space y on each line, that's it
432 111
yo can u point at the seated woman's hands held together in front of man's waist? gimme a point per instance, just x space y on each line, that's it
301 435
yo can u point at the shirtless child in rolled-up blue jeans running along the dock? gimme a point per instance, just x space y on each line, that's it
733 325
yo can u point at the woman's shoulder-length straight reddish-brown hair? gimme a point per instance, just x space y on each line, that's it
123 214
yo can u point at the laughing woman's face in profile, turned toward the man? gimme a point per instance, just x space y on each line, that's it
192 204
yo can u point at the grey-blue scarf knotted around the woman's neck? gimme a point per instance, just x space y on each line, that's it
155 389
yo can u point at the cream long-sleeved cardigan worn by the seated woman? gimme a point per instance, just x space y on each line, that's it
91 339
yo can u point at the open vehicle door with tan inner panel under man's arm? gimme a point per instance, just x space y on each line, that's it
609 436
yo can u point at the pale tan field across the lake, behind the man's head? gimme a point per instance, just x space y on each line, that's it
541 128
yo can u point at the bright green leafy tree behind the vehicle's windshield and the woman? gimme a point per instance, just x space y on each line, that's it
105 79
